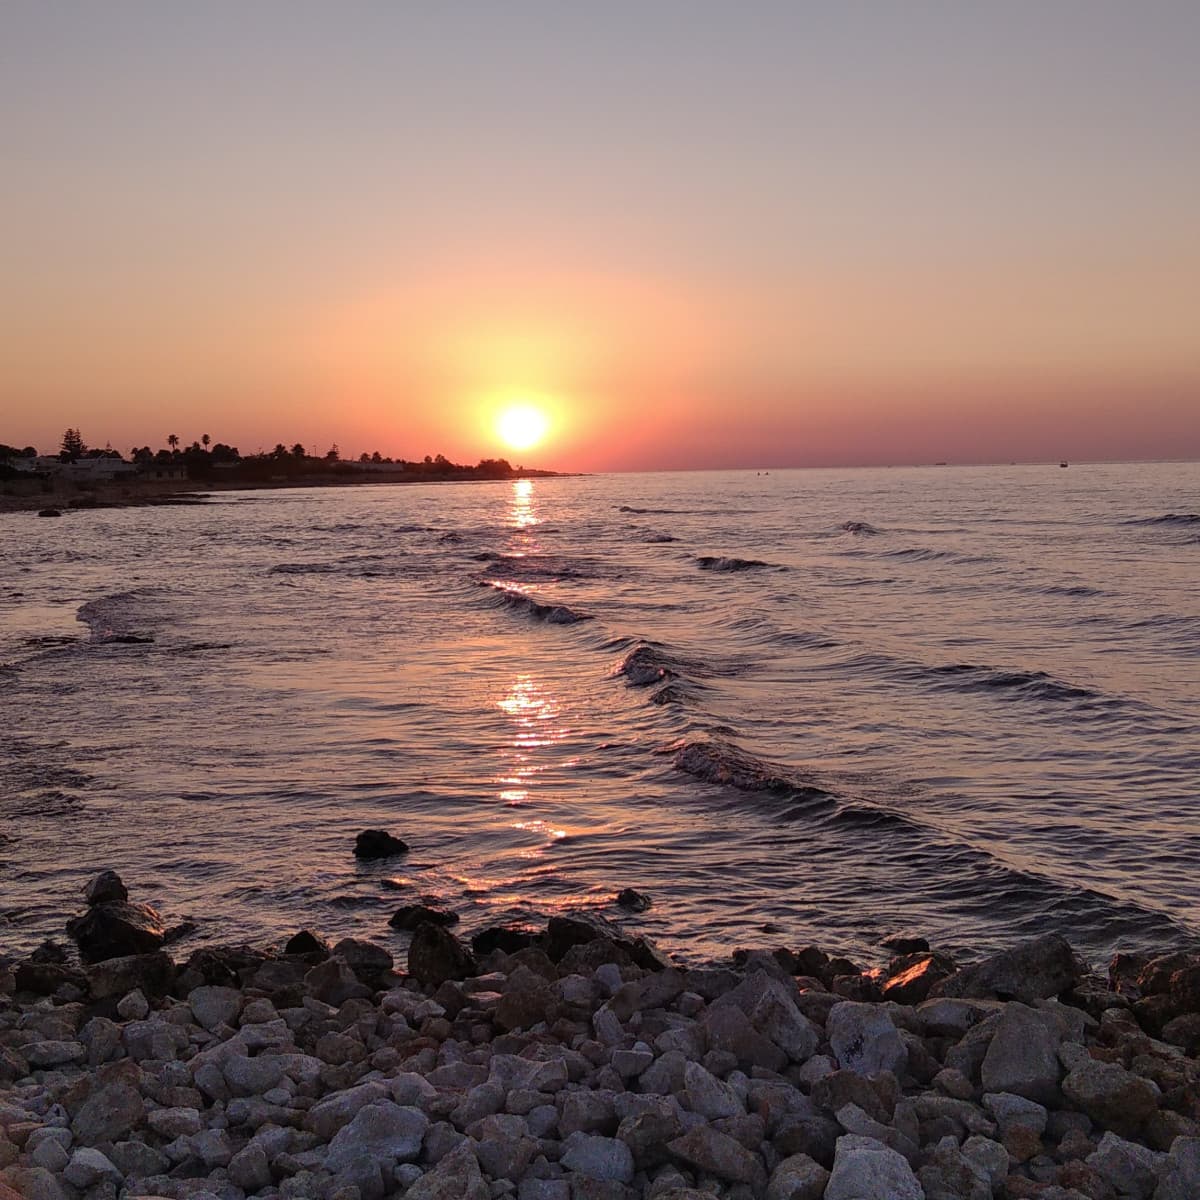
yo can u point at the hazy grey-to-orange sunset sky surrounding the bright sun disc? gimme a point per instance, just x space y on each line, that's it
692 235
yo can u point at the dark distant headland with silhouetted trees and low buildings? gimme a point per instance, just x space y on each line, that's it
82 478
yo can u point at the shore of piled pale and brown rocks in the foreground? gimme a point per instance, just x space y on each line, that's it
578 1064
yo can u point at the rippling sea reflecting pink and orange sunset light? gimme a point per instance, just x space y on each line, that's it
795 707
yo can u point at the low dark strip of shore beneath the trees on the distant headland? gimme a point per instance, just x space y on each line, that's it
21 497
